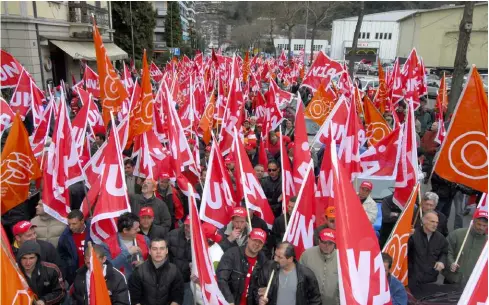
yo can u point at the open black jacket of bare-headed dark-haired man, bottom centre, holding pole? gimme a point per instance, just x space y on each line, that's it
307 285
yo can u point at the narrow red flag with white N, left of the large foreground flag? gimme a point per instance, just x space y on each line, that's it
300 228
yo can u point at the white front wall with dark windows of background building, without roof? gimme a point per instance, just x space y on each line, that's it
343 31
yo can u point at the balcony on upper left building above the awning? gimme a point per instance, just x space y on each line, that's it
82 12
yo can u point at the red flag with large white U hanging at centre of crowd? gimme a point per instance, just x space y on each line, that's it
217 200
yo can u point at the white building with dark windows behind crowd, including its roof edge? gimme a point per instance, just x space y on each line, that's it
379 36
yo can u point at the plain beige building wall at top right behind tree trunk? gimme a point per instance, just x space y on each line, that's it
434 34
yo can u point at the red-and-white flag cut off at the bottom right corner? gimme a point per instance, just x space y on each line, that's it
475 292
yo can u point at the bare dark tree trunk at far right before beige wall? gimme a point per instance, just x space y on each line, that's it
461 63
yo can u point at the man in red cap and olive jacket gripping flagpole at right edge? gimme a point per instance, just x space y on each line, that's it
459 272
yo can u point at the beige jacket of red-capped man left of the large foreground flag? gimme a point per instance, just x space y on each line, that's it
325 268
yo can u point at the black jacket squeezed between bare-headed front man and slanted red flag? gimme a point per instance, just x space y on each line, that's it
179 252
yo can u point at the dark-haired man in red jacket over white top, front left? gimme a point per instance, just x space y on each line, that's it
127 248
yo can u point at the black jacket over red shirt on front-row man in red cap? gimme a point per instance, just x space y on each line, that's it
231 273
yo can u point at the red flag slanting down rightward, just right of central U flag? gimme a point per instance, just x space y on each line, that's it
248 186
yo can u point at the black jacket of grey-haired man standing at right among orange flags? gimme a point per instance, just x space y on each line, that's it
422 256
